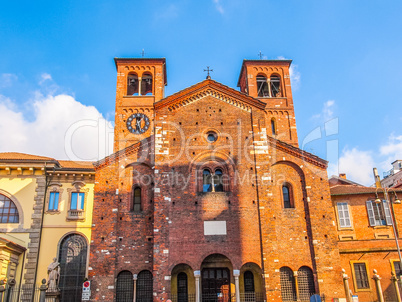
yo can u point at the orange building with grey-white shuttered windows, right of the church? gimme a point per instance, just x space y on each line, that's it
366 237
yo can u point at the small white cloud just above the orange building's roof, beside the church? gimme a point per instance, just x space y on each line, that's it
357 164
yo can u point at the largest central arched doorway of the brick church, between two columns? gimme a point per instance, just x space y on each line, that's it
216 280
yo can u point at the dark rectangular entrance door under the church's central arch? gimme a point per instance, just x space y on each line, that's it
215 285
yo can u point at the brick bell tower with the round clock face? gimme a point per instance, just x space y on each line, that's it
140 83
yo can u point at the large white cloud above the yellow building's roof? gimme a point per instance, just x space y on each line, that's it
48 130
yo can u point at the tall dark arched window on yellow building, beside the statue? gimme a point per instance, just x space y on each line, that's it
73 261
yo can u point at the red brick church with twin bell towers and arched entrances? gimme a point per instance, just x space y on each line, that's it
208 197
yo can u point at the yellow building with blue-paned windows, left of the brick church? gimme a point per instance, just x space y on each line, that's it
45 213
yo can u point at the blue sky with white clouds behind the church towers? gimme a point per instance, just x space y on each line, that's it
57 67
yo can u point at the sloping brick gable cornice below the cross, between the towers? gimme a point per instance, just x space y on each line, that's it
212 85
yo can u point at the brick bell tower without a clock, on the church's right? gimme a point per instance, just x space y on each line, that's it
269 81
